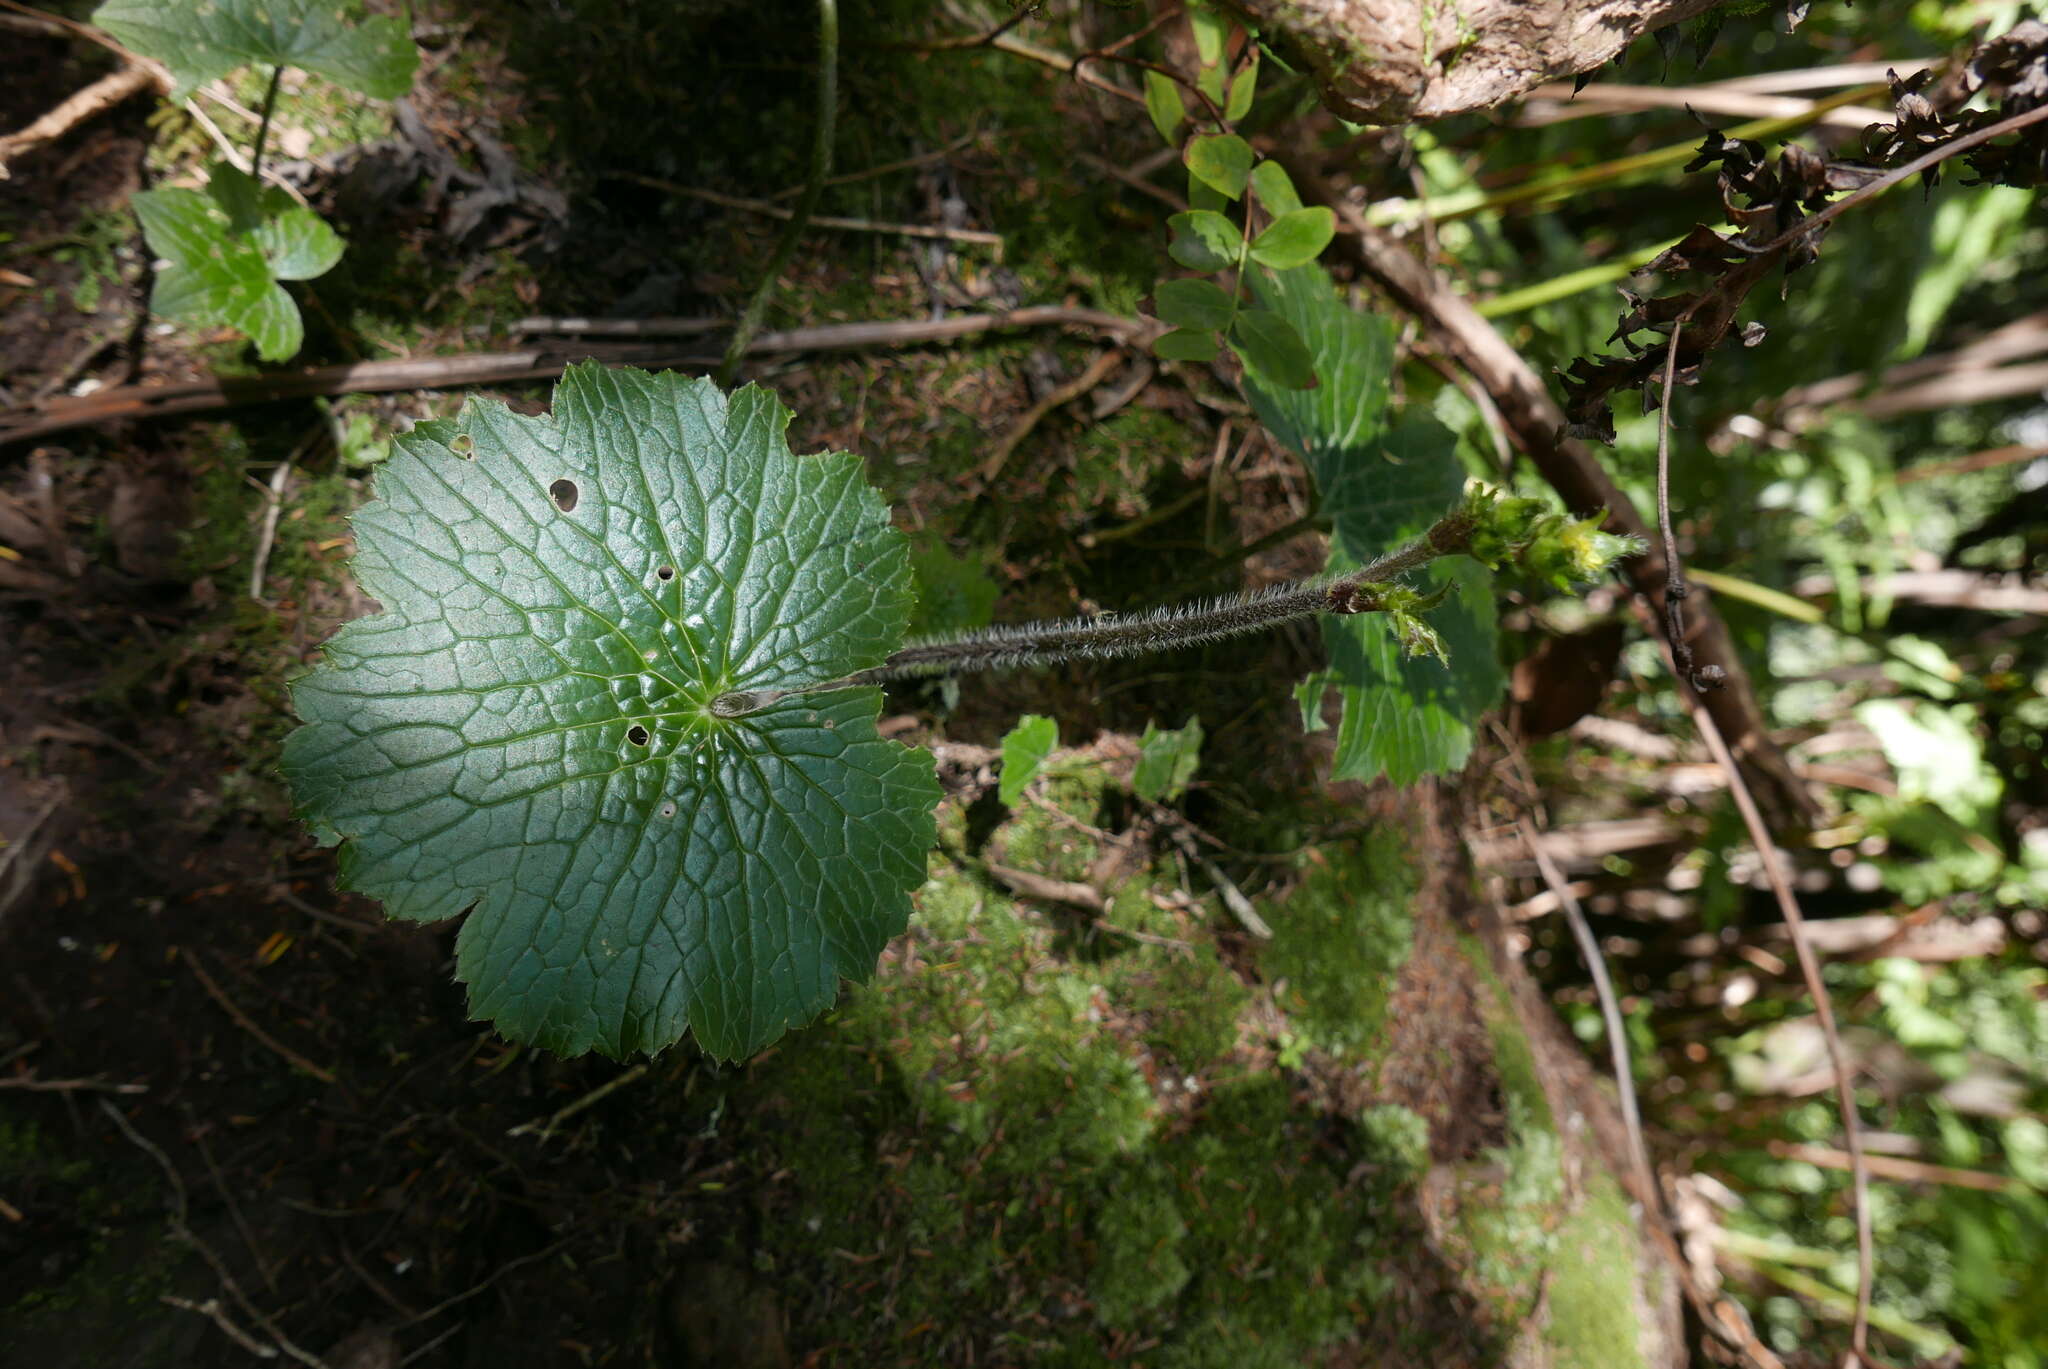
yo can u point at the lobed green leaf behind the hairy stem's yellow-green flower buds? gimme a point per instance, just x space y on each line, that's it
1402 716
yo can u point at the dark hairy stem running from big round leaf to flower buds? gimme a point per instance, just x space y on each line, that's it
1160 630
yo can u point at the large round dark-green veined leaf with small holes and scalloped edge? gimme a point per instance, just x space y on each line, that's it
525 733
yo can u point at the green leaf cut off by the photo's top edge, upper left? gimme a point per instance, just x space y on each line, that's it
206 40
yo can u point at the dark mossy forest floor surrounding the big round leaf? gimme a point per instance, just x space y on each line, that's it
237 1097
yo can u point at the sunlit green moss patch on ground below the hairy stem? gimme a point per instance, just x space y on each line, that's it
1035 1145
